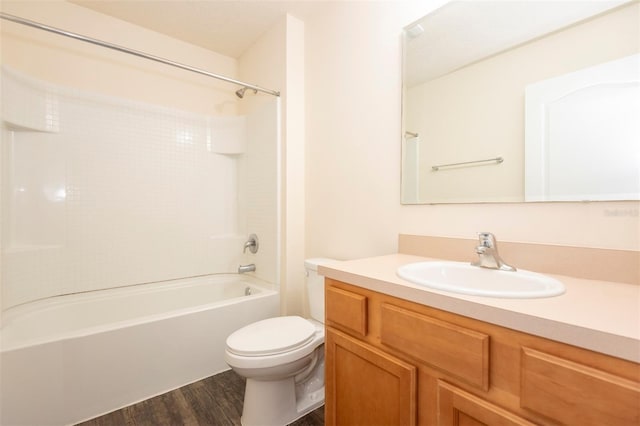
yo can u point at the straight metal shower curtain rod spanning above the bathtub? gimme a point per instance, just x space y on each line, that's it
112 46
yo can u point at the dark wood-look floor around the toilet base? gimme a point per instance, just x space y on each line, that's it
216 400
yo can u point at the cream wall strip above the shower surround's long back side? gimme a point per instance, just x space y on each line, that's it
109 72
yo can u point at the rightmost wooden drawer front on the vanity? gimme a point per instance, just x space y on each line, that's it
561 389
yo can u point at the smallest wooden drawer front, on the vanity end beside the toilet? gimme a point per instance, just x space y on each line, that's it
346 310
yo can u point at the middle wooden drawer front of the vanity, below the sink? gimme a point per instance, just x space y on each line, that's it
456 350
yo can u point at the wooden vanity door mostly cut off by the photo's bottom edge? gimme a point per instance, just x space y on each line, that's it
460 408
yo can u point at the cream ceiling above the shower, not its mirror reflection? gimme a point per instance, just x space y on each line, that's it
224 26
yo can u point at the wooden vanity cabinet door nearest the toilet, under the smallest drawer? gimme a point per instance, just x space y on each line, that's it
365 386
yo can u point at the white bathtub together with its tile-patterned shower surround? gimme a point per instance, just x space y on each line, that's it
104 193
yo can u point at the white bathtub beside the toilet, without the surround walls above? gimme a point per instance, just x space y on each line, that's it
71 358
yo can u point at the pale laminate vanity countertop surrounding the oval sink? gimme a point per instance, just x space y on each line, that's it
597 315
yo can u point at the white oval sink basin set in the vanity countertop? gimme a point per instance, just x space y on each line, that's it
459 277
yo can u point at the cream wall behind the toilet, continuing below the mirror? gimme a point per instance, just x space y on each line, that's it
353 76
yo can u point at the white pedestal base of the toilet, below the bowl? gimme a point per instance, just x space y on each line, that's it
274 403
